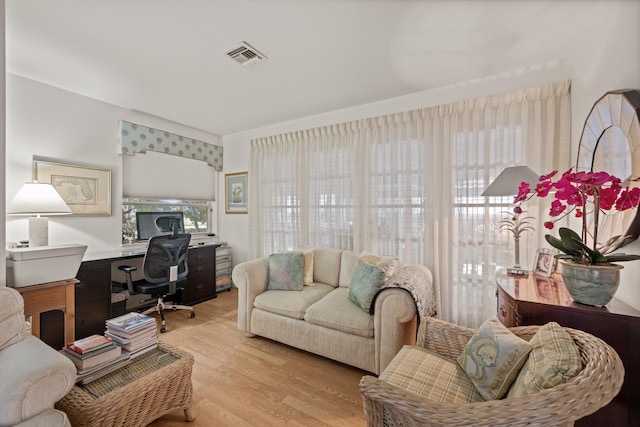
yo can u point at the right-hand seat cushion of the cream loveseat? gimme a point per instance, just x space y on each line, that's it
335 311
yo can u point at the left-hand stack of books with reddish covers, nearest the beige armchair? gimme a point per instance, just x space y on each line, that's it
94 356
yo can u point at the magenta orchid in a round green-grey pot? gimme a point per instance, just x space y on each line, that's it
588 268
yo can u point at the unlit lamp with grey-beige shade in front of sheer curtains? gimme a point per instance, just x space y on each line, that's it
506 184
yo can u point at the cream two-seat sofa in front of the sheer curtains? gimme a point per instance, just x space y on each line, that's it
320 318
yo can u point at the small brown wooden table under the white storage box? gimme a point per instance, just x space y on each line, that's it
46 297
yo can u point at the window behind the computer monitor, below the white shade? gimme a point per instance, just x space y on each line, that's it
196 214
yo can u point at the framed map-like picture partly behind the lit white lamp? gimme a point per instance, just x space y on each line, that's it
86 190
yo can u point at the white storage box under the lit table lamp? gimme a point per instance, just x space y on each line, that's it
43 264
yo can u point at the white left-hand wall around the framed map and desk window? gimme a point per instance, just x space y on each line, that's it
51 123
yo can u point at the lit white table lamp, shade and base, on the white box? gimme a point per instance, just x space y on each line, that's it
36 199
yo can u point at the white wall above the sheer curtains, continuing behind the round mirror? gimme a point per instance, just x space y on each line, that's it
608 58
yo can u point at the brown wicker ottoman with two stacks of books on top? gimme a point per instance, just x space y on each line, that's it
149 387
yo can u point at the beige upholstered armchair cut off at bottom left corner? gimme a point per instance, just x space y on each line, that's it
33 376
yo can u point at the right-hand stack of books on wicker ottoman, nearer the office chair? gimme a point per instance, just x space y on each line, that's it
136 333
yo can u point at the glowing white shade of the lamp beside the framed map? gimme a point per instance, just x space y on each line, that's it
36 198
